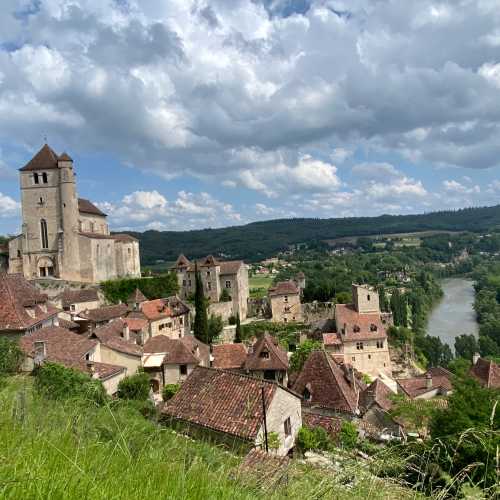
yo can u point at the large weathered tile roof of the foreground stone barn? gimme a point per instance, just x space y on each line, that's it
223 401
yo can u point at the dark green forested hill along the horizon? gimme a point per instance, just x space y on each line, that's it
259 240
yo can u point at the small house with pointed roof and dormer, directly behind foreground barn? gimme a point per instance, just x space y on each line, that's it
267 359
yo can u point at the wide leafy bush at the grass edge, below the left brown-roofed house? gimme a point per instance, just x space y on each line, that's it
57 382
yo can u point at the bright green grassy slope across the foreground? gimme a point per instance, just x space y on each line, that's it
73 450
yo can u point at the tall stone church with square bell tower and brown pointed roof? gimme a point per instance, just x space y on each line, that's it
64 236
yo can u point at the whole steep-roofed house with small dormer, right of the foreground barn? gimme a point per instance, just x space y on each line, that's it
328 388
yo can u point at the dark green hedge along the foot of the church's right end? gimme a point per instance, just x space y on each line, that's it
153 288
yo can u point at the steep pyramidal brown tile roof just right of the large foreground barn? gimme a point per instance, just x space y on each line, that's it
326 383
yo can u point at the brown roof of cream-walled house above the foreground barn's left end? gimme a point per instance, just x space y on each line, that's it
184 351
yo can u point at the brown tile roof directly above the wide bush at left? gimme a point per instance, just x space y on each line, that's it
61 344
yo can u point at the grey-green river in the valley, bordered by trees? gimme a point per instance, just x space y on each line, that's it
454 315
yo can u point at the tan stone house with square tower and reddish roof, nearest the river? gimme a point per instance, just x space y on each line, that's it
361 336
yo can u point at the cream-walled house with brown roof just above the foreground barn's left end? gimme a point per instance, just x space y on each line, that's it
170 360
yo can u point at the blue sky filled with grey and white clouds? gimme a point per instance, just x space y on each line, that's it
186 114
